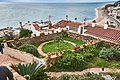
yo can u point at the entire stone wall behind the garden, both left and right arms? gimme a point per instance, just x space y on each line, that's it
48 37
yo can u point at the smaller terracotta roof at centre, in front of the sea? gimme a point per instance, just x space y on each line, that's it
64 23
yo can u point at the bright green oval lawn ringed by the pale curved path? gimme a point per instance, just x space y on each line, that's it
53 47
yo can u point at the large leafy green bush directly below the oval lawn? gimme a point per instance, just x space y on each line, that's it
70 61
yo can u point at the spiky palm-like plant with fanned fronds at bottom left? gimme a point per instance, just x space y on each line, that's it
31 71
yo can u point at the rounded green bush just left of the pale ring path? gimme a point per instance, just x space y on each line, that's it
30 49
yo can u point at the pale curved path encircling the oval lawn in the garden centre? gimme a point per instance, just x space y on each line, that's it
44 54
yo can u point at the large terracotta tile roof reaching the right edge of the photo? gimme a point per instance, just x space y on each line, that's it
108 34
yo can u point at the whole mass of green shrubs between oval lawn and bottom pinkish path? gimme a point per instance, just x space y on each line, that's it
90 56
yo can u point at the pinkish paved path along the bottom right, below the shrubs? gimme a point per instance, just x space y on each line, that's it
95 70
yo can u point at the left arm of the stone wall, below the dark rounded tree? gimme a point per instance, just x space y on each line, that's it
28 40
